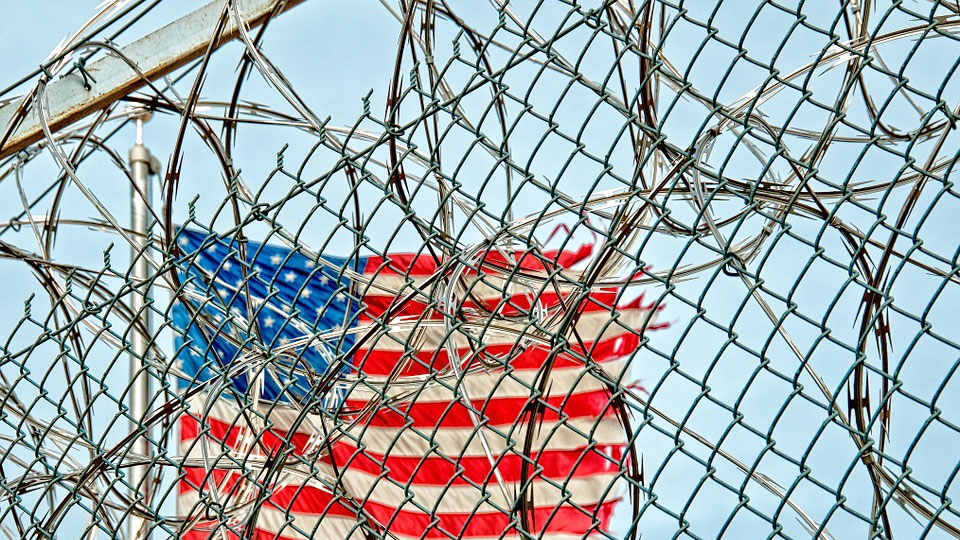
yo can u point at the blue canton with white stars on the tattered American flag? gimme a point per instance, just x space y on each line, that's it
293 298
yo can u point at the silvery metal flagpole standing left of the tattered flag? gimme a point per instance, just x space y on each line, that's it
142 165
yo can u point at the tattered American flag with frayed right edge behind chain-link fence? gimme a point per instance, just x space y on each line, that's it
321 400
